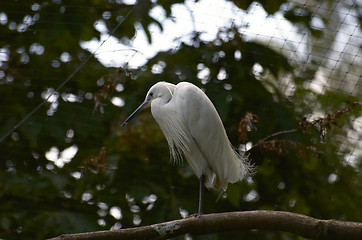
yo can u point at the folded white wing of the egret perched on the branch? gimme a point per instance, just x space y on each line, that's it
209 150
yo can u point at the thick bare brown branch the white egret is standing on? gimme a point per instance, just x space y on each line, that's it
301 225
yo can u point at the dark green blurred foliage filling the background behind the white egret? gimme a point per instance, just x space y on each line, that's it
128 168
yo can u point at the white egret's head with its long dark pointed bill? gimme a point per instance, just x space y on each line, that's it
161 91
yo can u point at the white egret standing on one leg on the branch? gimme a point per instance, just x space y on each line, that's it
193 129
